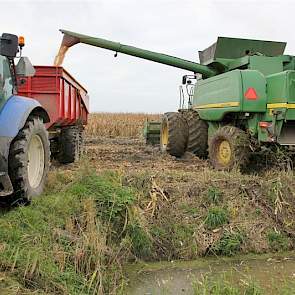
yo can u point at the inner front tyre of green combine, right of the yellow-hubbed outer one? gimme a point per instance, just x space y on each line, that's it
197 134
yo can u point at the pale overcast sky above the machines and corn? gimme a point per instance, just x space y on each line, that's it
176 27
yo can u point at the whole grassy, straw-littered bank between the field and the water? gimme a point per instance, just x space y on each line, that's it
76 237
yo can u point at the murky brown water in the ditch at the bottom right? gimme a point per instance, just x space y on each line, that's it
269 272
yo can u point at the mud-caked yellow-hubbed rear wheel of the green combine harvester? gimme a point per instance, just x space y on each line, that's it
229 148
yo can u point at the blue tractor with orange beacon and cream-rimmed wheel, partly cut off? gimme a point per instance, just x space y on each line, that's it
24 143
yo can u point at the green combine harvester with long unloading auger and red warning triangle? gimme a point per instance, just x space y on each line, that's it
243 98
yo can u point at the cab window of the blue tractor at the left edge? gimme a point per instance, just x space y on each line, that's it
6 83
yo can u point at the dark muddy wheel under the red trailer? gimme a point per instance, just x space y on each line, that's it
69 145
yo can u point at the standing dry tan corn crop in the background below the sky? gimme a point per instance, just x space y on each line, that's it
118 124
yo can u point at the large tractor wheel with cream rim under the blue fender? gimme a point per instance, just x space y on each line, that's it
29 158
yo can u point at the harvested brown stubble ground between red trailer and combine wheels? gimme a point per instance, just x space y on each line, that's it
135 155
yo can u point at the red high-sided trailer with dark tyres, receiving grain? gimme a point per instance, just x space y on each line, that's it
67 104
